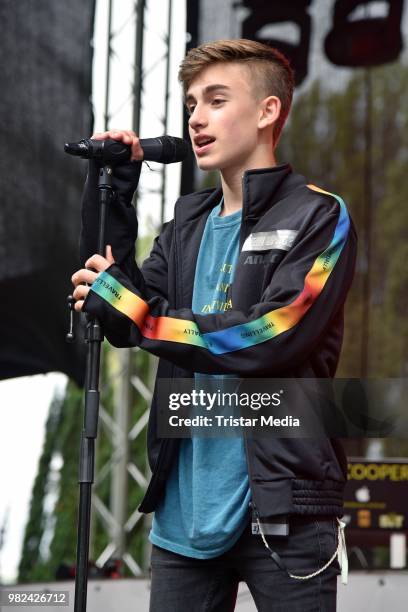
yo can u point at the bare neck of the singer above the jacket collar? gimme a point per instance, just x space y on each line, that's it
231 180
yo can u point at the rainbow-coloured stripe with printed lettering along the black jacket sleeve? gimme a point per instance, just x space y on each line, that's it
236 337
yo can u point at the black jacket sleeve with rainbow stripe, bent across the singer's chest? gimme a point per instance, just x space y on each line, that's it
306 291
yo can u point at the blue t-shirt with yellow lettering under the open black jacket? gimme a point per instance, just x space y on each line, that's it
206 503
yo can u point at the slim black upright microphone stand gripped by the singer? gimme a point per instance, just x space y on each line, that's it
94 339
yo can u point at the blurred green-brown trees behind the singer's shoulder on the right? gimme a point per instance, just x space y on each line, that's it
326 141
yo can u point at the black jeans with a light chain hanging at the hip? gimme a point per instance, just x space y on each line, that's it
182 584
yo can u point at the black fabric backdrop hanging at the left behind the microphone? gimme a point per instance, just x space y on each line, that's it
46 61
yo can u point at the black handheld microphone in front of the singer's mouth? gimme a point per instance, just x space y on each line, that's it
164 149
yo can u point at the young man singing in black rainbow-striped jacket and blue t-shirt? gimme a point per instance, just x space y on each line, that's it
248 279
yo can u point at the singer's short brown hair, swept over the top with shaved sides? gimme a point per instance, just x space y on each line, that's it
272 72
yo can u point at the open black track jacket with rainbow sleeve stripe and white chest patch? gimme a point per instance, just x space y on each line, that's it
295 267
